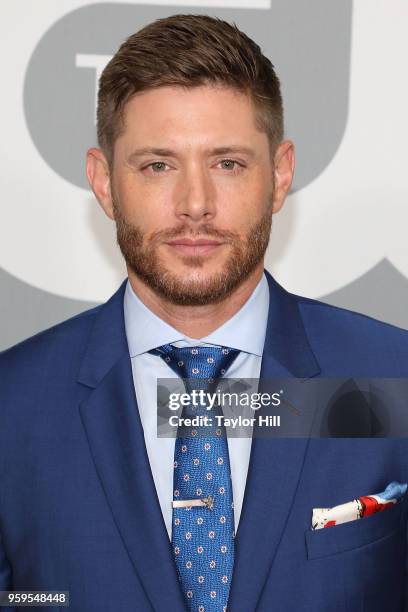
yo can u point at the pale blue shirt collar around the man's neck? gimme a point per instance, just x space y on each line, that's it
244 331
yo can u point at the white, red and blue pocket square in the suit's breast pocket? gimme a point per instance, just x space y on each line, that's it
358 508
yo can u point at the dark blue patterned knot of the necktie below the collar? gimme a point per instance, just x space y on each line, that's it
206 362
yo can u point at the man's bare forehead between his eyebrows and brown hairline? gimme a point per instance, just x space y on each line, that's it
206 114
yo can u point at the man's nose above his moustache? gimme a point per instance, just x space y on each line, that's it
195 197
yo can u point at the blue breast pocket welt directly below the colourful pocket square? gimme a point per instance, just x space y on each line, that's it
355 534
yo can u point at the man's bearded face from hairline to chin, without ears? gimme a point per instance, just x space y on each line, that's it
192 191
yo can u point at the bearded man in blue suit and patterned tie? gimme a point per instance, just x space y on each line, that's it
191 166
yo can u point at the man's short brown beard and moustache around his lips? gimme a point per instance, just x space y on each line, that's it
192 289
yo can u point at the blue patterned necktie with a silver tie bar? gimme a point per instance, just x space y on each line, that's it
202 536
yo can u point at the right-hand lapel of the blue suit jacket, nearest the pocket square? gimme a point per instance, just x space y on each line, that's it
275 464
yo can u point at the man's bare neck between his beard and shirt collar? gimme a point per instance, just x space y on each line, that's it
196 321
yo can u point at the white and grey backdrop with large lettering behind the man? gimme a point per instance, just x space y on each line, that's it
342 234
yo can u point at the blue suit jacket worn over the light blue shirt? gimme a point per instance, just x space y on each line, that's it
78 505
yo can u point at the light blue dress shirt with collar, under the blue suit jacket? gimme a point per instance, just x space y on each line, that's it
244 331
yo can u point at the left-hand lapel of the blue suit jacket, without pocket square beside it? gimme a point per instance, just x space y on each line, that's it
114 432
